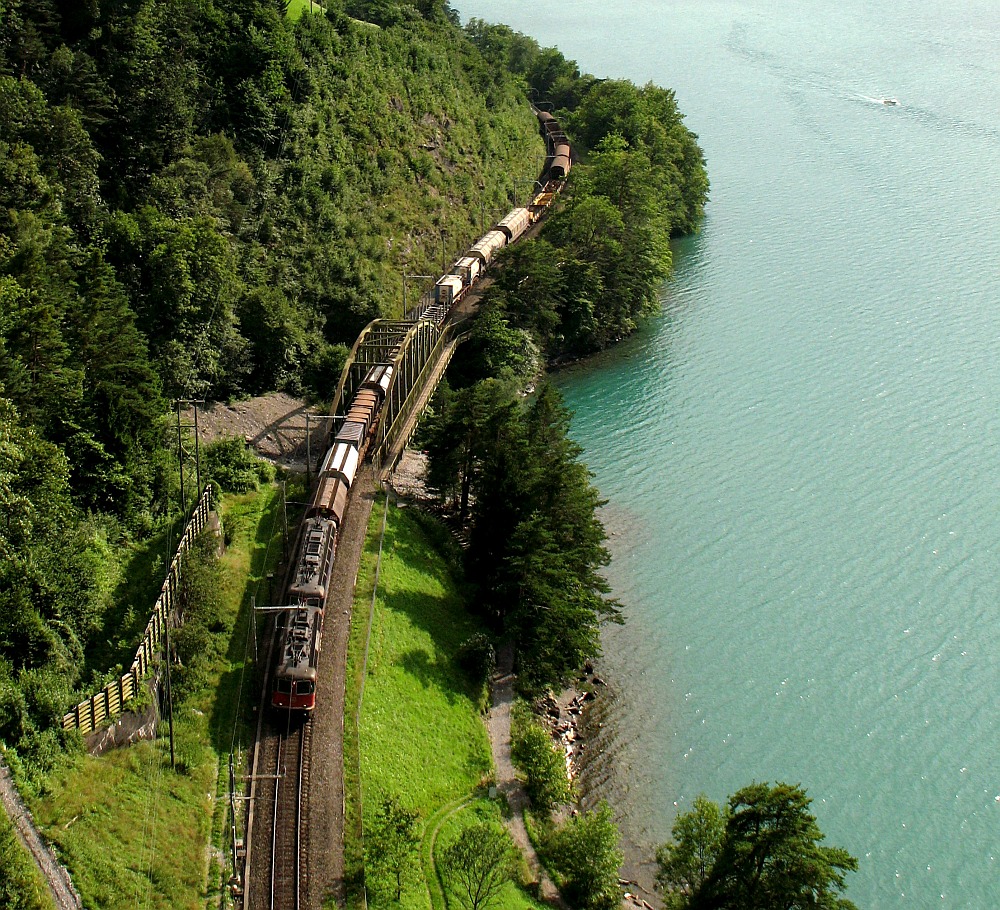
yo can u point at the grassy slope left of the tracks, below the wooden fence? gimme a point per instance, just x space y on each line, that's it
131 830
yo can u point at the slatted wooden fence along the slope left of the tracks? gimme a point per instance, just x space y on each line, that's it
89 714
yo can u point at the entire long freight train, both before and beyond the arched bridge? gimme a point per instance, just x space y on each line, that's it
294 678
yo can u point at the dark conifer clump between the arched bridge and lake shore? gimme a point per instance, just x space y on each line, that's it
536 544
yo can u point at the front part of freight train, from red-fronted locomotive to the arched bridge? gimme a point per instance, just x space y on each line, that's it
294 681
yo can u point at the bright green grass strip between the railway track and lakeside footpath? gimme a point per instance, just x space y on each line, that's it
422 736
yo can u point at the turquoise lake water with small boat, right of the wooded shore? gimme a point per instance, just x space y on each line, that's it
801 453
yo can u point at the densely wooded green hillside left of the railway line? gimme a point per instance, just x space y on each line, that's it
199 200
